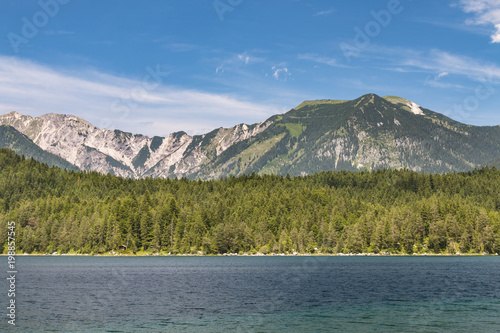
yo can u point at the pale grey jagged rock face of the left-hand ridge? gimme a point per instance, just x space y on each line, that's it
120 153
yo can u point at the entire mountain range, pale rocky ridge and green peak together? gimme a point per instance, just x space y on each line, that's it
367 133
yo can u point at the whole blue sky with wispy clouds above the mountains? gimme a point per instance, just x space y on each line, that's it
159 66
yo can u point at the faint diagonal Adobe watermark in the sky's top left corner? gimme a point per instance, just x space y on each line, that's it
30 28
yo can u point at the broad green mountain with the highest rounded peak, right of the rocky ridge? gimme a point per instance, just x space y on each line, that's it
363 134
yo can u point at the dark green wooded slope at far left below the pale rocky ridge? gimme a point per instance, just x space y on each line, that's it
22 145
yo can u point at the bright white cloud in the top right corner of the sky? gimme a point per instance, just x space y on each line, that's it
487 12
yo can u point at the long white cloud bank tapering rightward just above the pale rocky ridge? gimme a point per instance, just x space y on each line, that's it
119 102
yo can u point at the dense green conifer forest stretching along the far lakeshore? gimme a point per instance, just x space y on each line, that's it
382 211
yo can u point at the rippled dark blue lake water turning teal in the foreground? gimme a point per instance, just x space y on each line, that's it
255 294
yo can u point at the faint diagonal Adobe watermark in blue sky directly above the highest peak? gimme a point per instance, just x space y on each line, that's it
364 36
